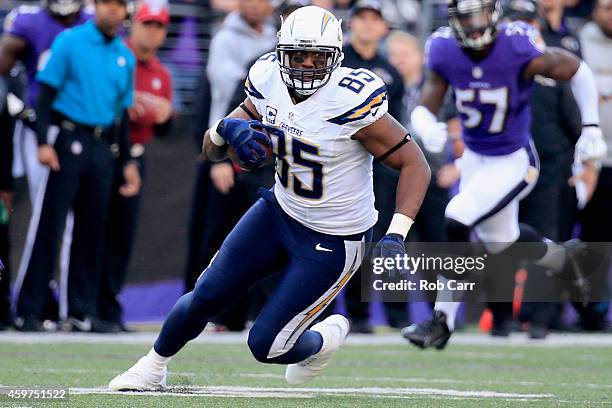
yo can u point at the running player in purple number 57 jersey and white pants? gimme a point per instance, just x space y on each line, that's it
491 68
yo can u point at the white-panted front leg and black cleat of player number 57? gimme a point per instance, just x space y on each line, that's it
488 185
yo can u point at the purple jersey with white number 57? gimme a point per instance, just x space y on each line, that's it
491 95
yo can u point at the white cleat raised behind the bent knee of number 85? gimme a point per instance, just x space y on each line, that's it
334 330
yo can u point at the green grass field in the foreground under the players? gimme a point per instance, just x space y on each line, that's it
225 375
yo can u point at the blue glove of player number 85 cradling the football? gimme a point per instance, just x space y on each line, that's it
247 138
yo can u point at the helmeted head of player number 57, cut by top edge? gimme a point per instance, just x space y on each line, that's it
474 22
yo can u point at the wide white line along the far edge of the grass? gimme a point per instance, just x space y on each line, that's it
471 339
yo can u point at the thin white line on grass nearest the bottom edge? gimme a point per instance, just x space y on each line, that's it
280 392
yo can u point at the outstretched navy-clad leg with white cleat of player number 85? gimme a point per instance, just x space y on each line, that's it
250 252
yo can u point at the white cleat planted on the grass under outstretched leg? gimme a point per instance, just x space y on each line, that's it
145 375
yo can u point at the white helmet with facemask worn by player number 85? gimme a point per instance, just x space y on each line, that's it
309 29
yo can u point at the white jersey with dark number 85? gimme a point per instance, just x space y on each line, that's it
324 178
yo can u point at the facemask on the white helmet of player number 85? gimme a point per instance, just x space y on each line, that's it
305 81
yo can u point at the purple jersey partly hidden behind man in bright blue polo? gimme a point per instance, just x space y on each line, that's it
38 28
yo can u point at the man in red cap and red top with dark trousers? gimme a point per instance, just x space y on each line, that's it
149 115
